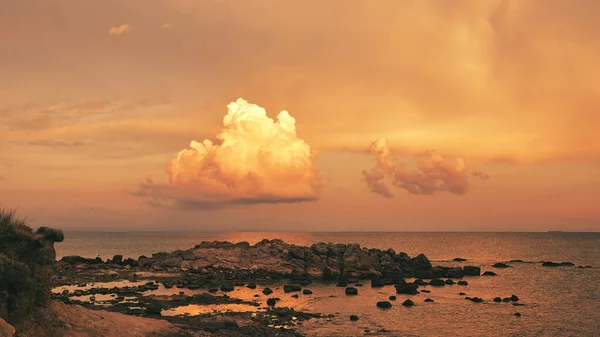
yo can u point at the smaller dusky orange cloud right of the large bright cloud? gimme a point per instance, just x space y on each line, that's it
431 174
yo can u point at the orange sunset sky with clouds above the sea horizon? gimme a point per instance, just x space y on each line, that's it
231 115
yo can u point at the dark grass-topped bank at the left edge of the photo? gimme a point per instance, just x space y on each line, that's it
26 266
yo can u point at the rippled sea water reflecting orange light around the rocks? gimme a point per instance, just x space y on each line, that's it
558 301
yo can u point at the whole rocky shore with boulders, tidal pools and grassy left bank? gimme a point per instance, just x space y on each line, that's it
215 288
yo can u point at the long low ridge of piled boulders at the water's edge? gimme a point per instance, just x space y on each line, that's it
277 259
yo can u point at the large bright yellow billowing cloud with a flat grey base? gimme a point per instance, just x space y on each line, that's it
258 161
